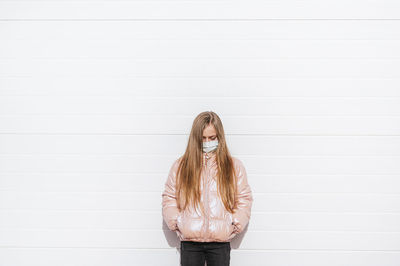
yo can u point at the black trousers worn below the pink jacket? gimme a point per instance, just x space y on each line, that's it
197 253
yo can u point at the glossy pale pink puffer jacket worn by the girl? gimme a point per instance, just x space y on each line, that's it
217 224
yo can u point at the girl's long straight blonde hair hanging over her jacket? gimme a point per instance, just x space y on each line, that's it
190 166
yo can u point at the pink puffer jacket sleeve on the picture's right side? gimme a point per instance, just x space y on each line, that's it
242 214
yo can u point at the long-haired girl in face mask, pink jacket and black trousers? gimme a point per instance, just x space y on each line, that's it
207 199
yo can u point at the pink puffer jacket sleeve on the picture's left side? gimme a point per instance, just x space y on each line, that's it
170 210
